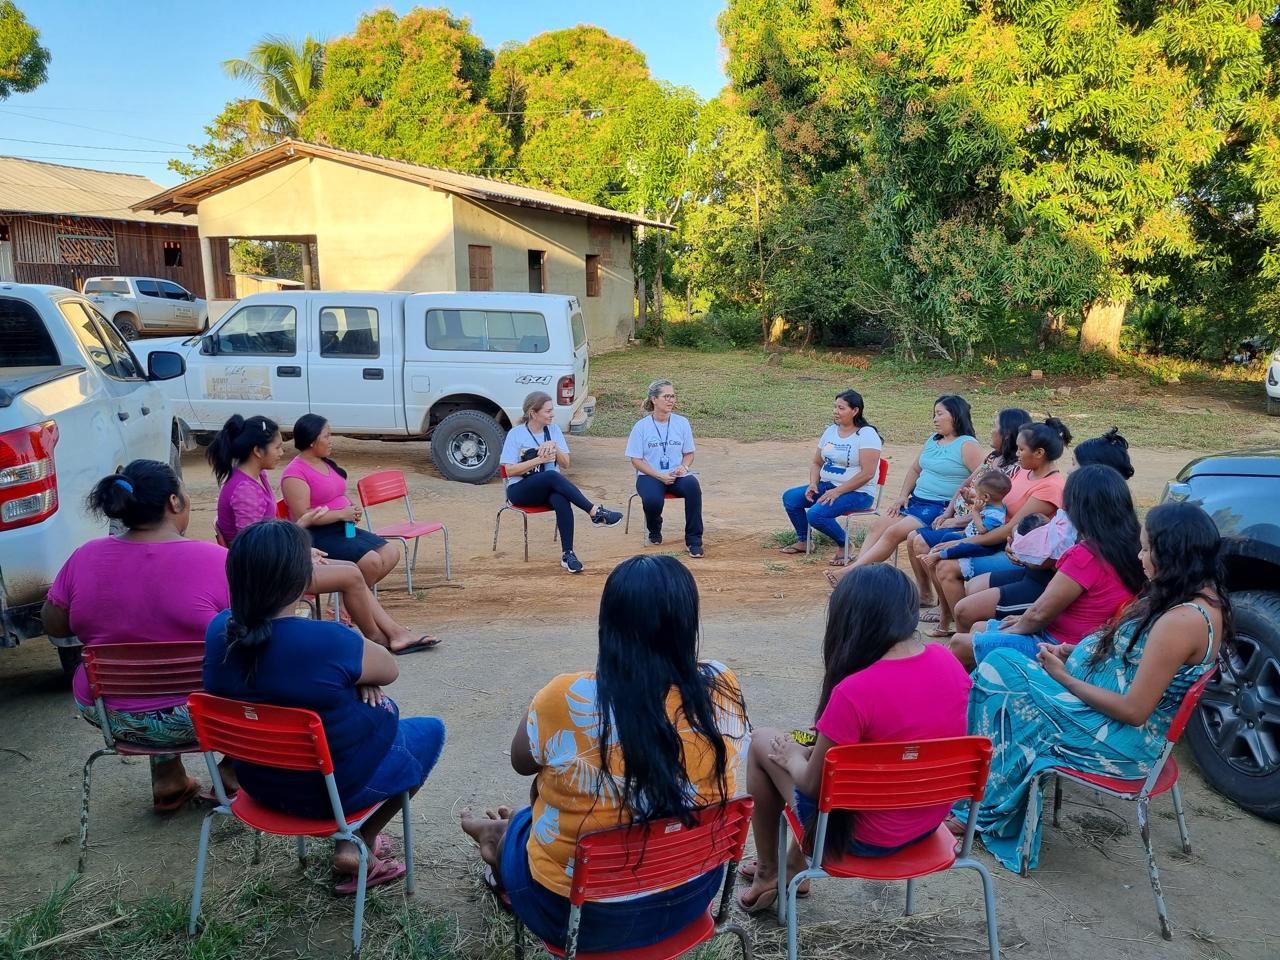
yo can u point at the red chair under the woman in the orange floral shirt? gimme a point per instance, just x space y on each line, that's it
609 865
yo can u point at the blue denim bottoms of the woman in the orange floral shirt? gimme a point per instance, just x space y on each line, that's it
605 927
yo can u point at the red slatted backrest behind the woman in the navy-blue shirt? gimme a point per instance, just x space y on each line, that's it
287 738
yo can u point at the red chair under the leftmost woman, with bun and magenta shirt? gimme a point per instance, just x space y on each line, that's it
172 669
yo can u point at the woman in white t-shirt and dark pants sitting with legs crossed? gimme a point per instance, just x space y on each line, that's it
536 454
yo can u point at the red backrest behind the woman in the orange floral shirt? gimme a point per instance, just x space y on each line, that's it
650 857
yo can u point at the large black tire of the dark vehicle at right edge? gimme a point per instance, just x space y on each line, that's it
1236 733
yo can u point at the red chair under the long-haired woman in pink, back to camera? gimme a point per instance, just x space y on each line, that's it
894 778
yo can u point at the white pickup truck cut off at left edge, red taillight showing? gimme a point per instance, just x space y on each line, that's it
75 406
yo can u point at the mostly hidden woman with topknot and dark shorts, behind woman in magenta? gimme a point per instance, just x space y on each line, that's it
1011 592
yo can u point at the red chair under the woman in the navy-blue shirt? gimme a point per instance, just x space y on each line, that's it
289 739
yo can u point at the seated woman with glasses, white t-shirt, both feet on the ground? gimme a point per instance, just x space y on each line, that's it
661 449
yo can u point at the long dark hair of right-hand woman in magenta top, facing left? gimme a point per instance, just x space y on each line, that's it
1099 504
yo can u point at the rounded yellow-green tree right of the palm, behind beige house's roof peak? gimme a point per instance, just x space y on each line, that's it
414 89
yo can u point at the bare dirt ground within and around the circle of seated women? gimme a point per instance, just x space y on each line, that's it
509 627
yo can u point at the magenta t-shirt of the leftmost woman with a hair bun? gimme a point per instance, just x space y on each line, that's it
125 592
